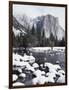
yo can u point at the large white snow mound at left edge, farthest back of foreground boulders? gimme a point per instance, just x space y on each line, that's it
25 59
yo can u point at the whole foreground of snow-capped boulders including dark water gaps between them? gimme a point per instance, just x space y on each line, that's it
23 72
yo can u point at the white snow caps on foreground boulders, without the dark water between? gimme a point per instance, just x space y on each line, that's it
41 76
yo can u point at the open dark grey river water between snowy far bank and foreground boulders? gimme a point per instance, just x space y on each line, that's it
51 57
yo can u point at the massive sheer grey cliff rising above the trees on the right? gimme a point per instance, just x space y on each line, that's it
49 24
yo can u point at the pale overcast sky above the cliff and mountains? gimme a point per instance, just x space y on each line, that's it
34 11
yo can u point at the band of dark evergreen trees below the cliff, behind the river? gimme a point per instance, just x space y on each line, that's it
33 38
